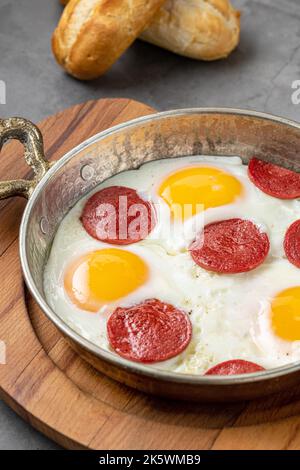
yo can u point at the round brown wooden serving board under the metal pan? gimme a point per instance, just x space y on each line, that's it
64 397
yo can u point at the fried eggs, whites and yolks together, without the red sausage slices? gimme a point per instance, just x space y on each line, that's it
251 316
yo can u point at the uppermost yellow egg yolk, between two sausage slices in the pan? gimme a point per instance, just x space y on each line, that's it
194 189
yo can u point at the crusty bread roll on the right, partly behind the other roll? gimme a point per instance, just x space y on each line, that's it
200 29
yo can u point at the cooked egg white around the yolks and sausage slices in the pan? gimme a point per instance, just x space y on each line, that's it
229 313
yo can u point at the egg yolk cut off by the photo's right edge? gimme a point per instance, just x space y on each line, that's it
285 314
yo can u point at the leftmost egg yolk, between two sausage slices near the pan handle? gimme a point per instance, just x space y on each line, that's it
103 276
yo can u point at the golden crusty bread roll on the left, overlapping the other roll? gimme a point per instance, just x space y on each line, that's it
92 34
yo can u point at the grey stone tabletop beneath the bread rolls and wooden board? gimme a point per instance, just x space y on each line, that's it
258 75
